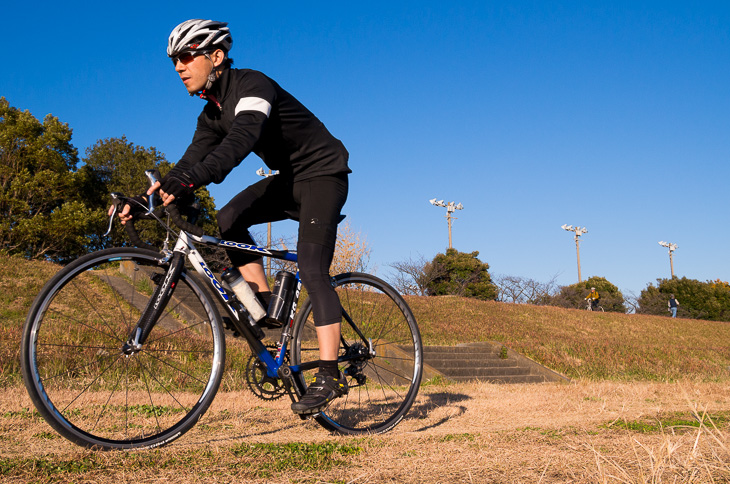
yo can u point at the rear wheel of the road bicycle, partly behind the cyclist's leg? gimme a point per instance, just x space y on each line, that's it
391 378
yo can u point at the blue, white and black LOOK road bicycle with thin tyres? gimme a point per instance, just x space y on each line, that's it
125 347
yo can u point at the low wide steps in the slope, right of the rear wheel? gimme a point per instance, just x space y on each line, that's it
487 362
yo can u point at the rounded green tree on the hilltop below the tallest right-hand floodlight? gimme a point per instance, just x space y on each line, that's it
461 274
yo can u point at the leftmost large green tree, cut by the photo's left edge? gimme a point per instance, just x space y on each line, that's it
42 212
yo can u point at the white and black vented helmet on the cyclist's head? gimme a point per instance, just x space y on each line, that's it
197 34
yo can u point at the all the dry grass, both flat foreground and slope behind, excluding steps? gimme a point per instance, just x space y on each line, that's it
649 403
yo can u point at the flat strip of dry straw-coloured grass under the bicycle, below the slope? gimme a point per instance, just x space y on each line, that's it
549 433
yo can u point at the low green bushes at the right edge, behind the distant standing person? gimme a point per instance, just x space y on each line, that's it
697 300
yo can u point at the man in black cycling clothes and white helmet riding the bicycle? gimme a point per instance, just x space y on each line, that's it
246 112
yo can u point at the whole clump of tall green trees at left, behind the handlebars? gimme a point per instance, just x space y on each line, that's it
51 209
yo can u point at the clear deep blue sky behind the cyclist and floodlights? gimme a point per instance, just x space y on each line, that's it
610 115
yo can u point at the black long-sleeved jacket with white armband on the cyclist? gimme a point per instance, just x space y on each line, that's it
249 112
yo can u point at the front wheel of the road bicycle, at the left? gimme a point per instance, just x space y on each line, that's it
82 383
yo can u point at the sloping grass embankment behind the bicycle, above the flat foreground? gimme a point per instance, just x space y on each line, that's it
579 344
